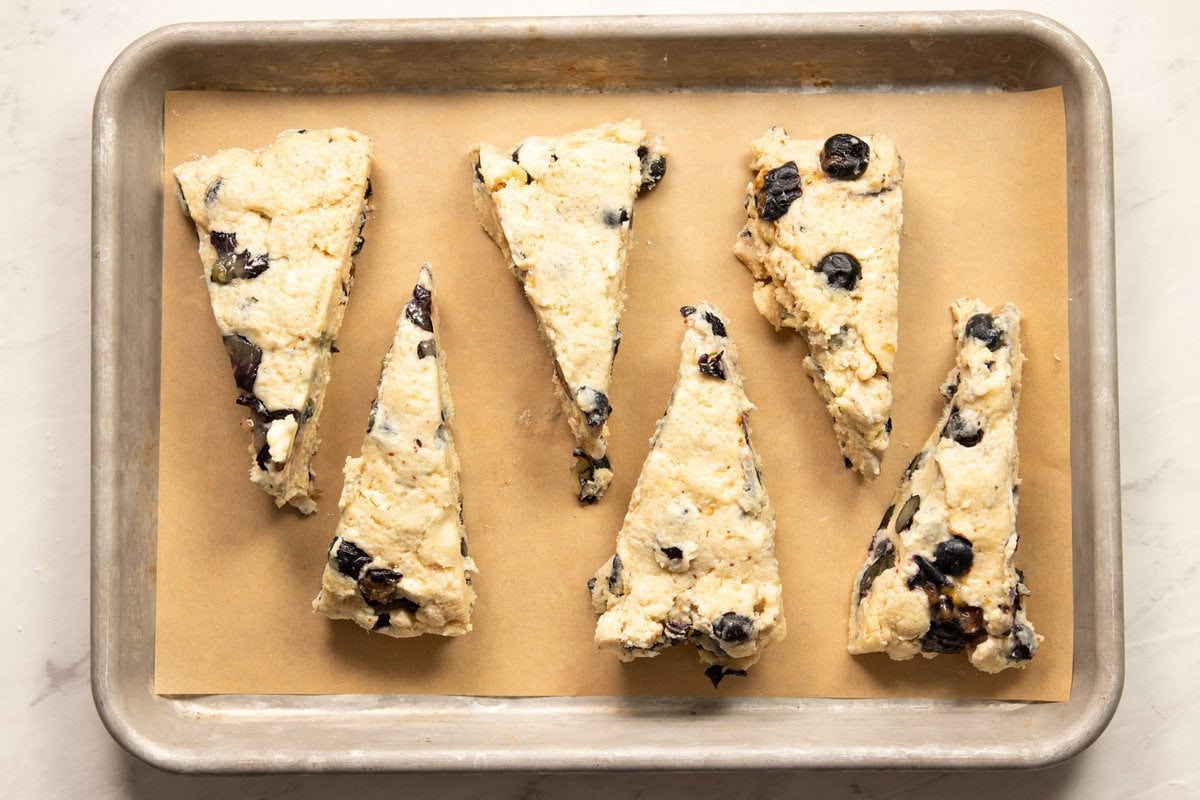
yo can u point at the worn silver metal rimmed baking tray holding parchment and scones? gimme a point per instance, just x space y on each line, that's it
917 52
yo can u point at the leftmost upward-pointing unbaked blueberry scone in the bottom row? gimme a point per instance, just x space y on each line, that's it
399 561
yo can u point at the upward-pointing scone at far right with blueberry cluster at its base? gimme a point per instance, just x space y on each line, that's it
939 575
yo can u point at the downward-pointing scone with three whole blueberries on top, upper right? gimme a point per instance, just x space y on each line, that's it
823 239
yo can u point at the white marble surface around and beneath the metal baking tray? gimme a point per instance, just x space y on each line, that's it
52 57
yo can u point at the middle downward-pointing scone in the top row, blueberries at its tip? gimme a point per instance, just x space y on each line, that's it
561 210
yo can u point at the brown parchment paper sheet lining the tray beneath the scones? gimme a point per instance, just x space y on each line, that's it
985 215
